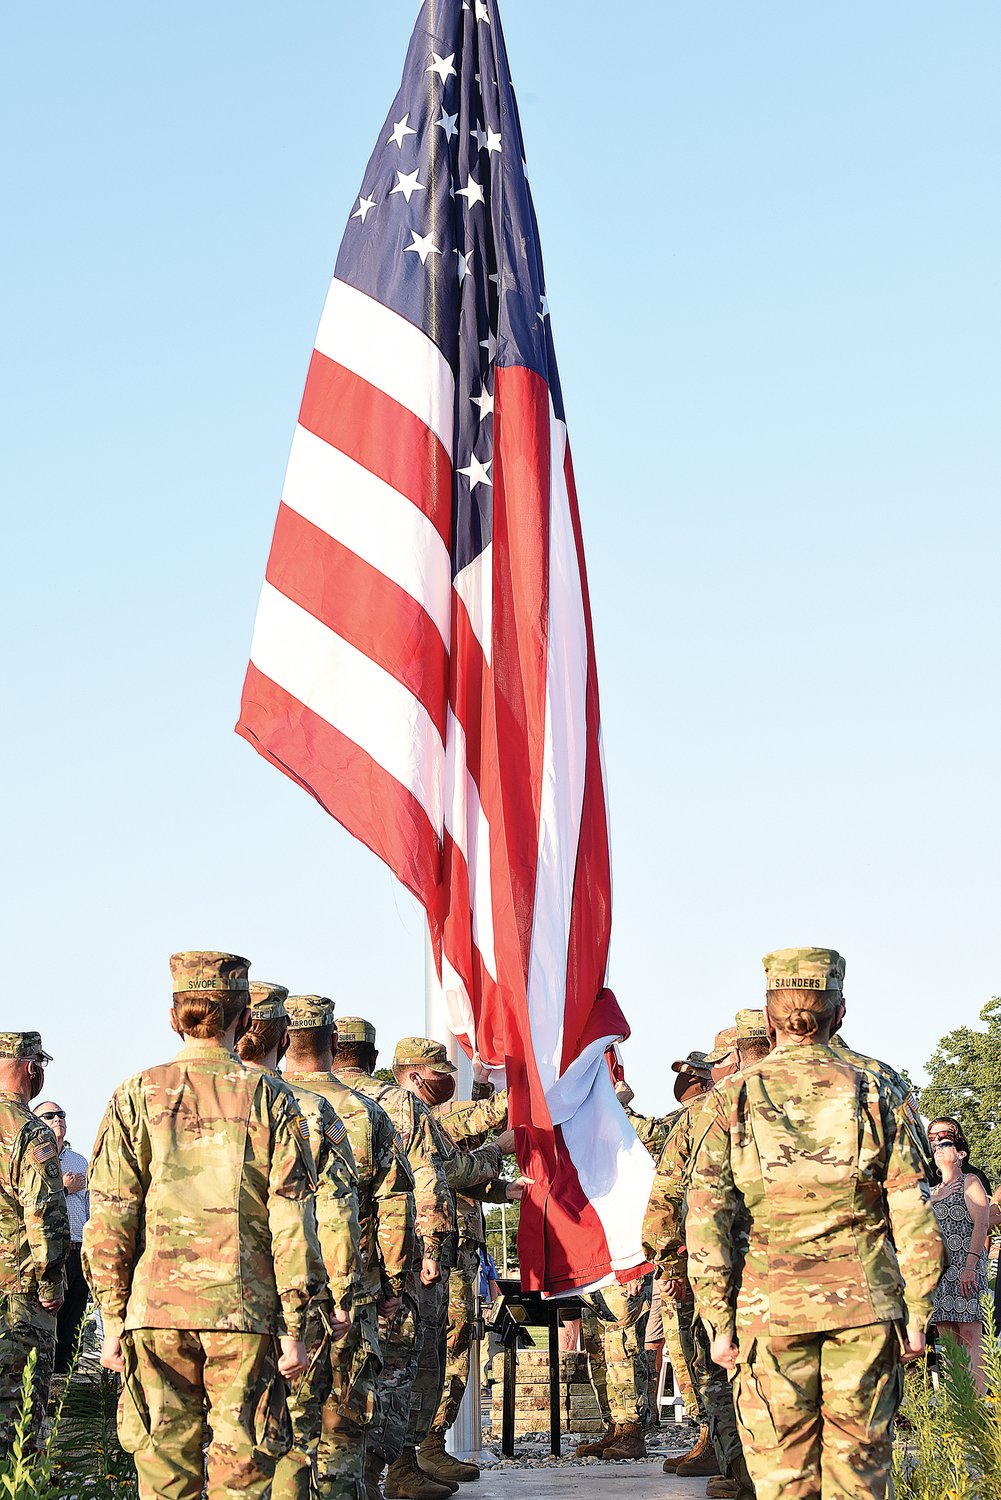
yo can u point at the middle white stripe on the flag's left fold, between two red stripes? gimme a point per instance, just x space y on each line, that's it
373 520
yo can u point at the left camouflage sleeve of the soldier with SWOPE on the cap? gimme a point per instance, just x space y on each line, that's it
119 1183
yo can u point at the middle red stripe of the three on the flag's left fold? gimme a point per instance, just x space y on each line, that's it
362 607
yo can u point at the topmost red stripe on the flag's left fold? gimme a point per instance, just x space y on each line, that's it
382 436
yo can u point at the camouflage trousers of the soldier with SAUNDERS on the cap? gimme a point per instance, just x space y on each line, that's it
816 1412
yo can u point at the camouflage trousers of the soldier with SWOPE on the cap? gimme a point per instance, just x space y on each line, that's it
182 1385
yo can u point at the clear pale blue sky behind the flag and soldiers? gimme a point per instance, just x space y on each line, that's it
774 238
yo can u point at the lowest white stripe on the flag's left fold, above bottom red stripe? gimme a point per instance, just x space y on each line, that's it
355 695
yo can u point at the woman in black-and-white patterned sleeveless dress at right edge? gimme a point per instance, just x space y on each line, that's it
963 1211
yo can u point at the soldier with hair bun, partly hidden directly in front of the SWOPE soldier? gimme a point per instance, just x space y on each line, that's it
296 1477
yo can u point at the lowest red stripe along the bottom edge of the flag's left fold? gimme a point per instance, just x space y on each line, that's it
344 779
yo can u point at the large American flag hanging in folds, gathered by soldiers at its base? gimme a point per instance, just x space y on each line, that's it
424 661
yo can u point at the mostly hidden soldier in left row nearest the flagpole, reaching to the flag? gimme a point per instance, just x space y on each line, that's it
467 1124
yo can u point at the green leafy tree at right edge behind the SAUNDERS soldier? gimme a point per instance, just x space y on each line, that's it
966 1082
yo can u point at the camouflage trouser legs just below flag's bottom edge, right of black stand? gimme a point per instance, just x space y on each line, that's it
615 1342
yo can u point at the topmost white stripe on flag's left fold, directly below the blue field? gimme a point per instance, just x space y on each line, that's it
391 353
